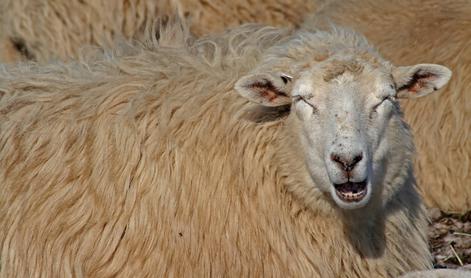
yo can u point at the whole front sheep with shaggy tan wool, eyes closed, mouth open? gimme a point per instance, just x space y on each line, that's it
213 157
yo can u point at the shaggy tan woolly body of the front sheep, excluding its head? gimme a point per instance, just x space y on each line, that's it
139 163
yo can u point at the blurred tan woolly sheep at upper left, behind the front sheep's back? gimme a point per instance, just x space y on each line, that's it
59 29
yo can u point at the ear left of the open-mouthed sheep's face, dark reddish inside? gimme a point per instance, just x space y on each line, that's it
266 89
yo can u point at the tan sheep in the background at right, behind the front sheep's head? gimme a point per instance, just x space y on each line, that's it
415 31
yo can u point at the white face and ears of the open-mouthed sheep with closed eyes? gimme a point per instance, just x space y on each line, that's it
345 115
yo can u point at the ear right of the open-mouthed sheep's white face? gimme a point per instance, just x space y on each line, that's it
420 80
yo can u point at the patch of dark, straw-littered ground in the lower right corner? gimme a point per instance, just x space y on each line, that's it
450 239
